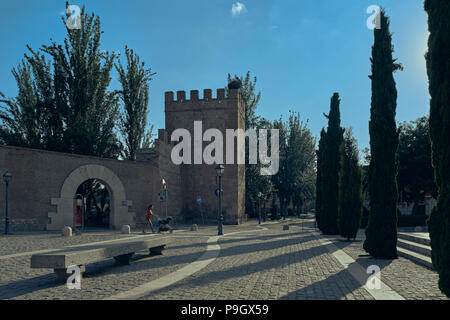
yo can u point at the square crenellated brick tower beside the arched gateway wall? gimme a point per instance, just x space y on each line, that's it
199 180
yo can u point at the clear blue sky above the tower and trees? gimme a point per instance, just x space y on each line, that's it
300 50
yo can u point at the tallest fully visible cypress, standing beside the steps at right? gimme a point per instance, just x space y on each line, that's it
381 231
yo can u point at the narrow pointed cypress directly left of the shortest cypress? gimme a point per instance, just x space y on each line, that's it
331 157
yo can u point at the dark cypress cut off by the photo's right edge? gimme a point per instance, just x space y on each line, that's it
438 65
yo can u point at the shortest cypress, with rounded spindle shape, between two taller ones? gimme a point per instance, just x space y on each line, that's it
350 188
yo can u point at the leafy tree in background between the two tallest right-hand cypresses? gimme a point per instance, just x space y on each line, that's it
415 173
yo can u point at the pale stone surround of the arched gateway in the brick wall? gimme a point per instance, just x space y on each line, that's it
119 214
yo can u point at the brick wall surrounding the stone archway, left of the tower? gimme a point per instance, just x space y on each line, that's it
39 175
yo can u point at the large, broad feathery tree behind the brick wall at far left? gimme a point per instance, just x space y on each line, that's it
64 103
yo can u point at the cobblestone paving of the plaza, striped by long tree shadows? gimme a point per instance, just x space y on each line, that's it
253 263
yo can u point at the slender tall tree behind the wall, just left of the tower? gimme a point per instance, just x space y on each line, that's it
134 95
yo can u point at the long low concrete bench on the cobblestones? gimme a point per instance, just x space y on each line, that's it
121 251
